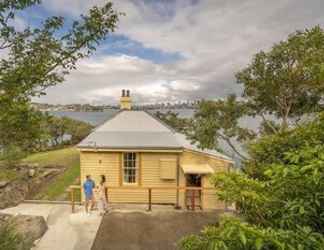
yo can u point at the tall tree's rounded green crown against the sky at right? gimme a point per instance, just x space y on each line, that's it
287 81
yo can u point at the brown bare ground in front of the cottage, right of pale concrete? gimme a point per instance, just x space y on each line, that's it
149 231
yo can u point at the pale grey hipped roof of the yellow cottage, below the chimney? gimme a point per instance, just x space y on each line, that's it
139 129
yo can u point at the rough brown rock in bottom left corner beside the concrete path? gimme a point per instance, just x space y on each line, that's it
27 228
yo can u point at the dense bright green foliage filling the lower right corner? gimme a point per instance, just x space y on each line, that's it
282 211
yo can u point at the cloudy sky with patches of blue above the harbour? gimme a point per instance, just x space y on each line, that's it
169 51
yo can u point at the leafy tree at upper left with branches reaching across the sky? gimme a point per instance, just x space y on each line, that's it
37 58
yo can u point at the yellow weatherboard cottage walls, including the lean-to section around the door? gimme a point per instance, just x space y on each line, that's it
150 174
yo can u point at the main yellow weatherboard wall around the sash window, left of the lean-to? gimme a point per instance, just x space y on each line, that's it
149 175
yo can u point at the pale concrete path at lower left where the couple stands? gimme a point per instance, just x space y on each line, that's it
66 231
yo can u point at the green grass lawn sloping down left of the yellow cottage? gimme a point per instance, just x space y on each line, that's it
68 157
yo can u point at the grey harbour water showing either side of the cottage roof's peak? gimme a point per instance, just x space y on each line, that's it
97 118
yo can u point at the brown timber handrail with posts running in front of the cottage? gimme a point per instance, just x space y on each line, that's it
149 189
